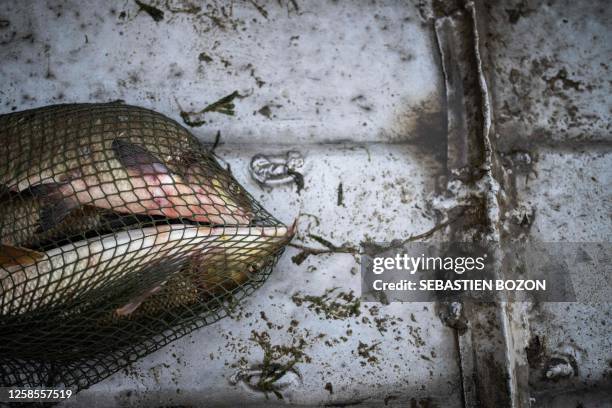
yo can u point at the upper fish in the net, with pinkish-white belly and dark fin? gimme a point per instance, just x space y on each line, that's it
115 157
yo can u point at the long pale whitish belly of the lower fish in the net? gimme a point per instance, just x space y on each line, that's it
74 270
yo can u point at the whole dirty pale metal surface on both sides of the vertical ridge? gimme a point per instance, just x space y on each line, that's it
337 115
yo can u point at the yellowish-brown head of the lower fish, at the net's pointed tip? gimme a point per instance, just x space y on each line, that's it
229 258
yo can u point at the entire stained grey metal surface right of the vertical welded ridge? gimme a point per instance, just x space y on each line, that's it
551 80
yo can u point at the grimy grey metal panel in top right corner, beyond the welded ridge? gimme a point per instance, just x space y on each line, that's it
550 69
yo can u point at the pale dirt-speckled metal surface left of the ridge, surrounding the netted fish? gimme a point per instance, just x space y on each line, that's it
348 97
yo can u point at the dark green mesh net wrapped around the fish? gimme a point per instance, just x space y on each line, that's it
119 234
